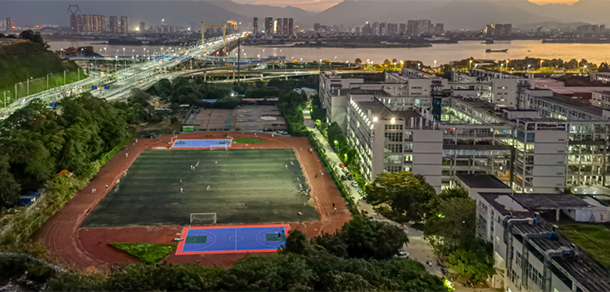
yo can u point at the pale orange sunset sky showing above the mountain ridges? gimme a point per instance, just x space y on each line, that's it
321 5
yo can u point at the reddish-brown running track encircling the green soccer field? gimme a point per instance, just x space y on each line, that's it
87 248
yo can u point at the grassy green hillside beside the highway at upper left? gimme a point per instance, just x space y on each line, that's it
26 59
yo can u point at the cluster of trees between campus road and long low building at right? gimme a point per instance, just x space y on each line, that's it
450 220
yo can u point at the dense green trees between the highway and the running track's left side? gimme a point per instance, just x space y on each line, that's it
38 142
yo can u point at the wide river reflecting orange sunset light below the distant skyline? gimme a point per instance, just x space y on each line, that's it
442 53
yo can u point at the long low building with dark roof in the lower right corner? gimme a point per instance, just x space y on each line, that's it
530 253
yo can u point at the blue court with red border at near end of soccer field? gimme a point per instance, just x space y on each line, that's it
232 239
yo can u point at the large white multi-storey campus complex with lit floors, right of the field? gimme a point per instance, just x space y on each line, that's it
482 122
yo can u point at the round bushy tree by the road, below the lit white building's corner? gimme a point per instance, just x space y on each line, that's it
406 194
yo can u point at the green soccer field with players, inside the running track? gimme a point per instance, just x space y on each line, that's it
240 186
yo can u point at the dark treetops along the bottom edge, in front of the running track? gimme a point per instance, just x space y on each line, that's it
360 257
